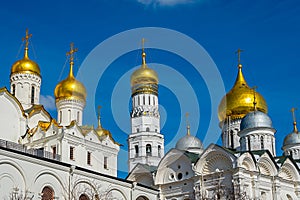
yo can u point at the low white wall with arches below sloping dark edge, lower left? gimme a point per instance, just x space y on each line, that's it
30 175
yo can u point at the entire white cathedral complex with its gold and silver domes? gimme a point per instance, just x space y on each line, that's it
46 158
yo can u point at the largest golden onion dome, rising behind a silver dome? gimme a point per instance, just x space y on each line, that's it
239 100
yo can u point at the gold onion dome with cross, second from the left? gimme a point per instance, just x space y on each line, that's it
70 88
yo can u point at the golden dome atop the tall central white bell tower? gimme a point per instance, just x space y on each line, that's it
144 75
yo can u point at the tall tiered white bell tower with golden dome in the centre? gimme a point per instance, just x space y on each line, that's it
145 143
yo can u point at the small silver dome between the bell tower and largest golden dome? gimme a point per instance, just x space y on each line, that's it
189 142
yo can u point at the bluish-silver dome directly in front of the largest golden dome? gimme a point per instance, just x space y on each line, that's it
256 119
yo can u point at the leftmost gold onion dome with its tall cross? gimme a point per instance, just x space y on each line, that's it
25 65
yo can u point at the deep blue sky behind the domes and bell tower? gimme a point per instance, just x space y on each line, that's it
268 32
